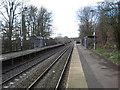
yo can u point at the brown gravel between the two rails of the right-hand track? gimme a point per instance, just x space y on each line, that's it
51 78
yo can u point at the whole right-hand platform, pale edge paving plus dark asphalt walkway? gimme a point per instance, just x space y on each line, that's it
90 70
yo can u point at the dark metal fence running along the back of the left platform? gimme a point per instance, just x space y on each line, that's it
17 46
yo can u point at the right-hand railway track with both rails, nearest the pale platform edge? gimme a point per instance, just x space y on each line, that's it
52 76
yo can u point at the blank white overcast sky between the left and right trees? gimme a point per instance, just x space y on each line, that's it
64 14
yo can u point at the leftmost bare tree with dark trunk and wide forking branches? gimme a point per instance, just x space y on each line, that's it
9 14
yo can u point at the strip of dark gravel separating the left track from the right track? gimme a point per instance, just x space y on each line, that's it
34 73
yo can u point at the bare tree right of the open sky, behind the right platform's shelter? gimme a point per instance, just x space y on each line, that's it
85 18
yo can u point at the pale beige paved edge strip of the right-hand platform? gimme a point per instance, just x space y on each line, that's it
76 77
